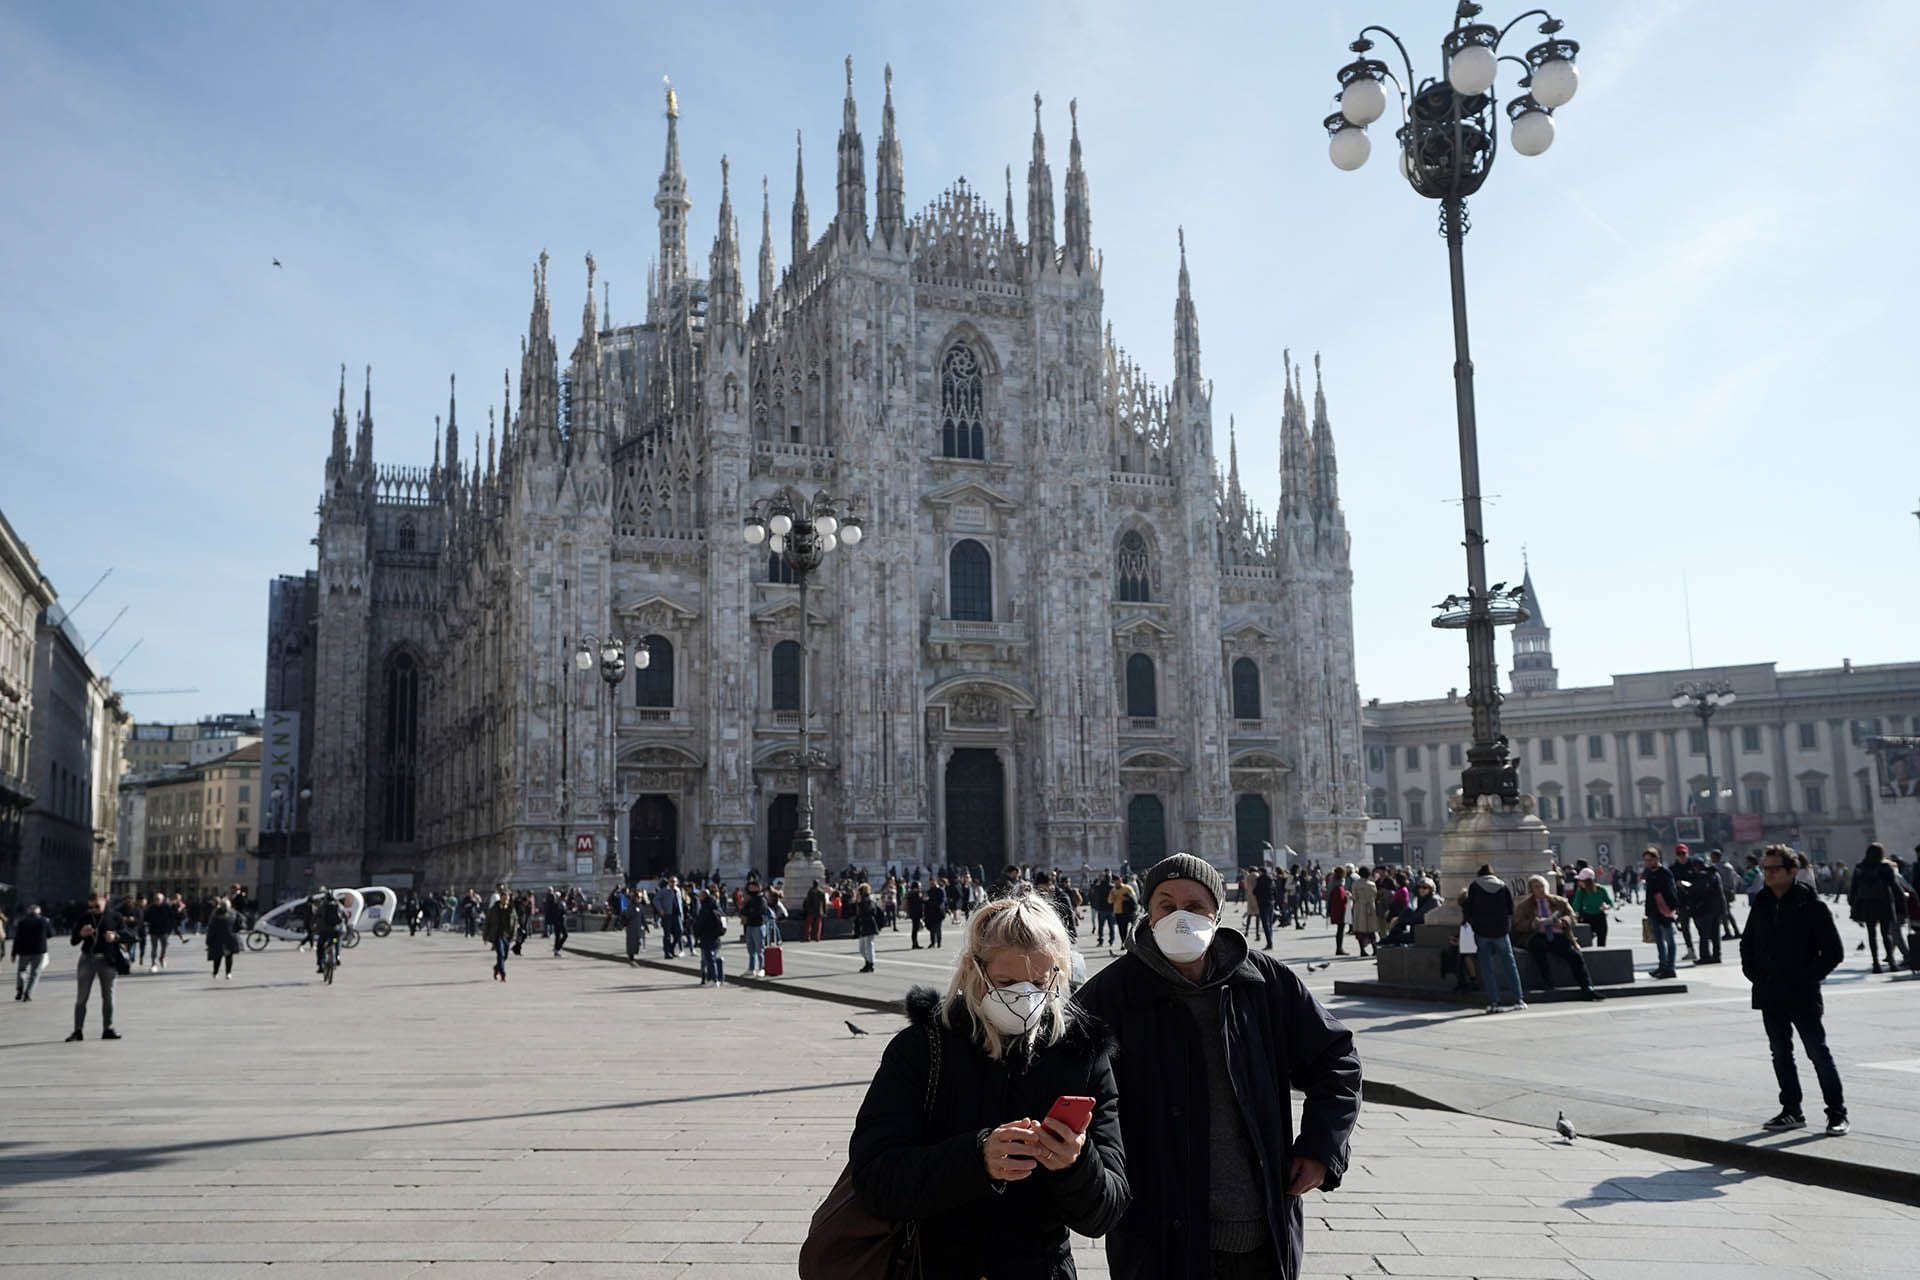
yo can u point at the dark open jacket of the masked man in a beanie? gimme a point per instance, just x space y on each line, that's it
1278 1039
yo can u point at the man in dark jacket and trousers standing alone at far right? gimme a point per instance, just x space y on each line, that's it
1788 949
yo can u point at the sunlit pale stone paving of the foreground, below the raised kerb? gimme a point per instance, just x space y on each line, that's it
585 1120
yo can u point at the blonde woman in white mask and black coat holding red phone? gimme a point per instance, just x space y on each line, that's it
976 1162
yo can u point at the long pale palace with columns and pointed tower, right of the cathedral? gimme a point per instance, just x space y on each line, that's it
1618 767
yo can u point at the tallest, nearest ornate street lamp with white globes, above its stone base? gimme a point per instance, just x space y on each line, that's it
1449 139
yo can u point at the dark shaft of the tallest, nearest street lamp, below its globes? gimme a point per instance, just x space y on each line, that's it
1485 759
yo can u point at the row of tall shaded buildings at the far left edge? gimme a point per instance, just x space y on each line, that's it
62 734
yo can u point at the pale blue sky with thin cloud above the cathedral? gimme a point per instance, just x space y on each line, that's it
1692 318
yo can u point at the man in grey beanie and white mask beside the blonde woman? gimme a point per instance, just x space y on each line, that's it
1214 1037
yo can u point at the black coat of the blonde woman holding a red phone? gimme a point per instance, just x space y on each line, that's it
907 1166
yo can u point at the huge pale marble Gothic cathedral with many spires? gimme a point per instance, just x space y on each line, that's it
1067 638
